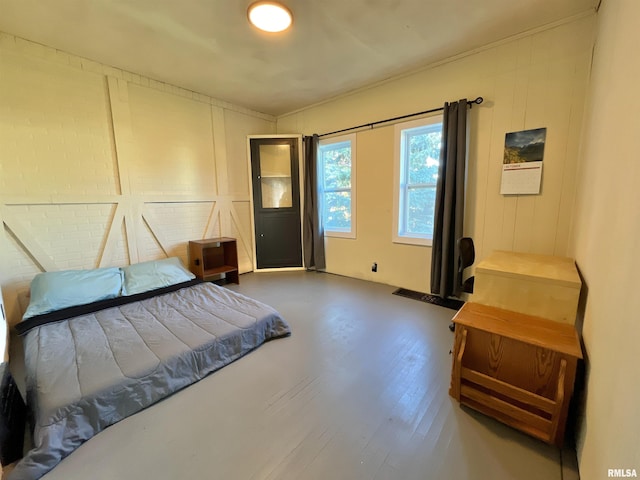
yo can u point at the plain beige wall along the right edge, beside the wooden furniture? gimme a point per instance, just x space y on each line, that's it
606 245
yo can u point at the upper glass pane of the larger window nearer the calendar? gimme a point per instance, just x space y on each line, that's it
423 153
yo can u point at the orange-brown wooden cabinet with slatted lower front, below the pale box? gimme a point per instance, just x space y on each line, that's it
516 368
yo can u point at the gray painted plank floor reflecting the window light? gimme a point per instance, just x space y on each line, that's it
359 391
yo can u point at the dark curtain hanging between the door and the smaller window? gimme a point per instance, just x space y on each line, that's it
313 232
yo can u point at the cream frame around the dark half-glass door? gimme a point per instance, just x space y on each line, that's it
301 173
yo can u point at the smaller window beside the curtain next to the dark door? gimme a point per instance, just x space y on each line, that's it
336 165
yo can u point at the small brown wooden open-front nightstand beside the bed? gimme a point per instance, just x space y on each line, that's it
214 258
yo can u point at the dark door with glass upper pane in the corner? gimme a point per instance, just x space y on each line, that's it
276 202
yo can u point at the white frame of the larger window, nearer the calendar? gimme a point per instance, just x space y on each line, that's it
399 187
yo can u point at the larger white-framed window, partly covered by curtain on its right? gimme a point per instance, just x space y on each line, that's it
418 146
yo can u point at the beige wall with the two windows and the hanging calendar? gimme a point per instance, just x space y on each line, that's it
534 80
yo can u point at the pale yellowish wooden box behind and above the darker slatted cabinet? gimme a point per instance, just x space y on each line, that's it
540 285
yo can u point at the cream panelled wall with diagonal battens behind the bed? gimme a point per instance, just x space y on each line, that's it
103 167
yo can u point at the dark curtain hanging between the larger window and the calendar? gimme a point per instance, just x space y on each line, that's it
449 209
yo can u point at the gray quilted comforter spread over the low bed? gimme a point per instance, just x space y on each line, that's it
93 370
